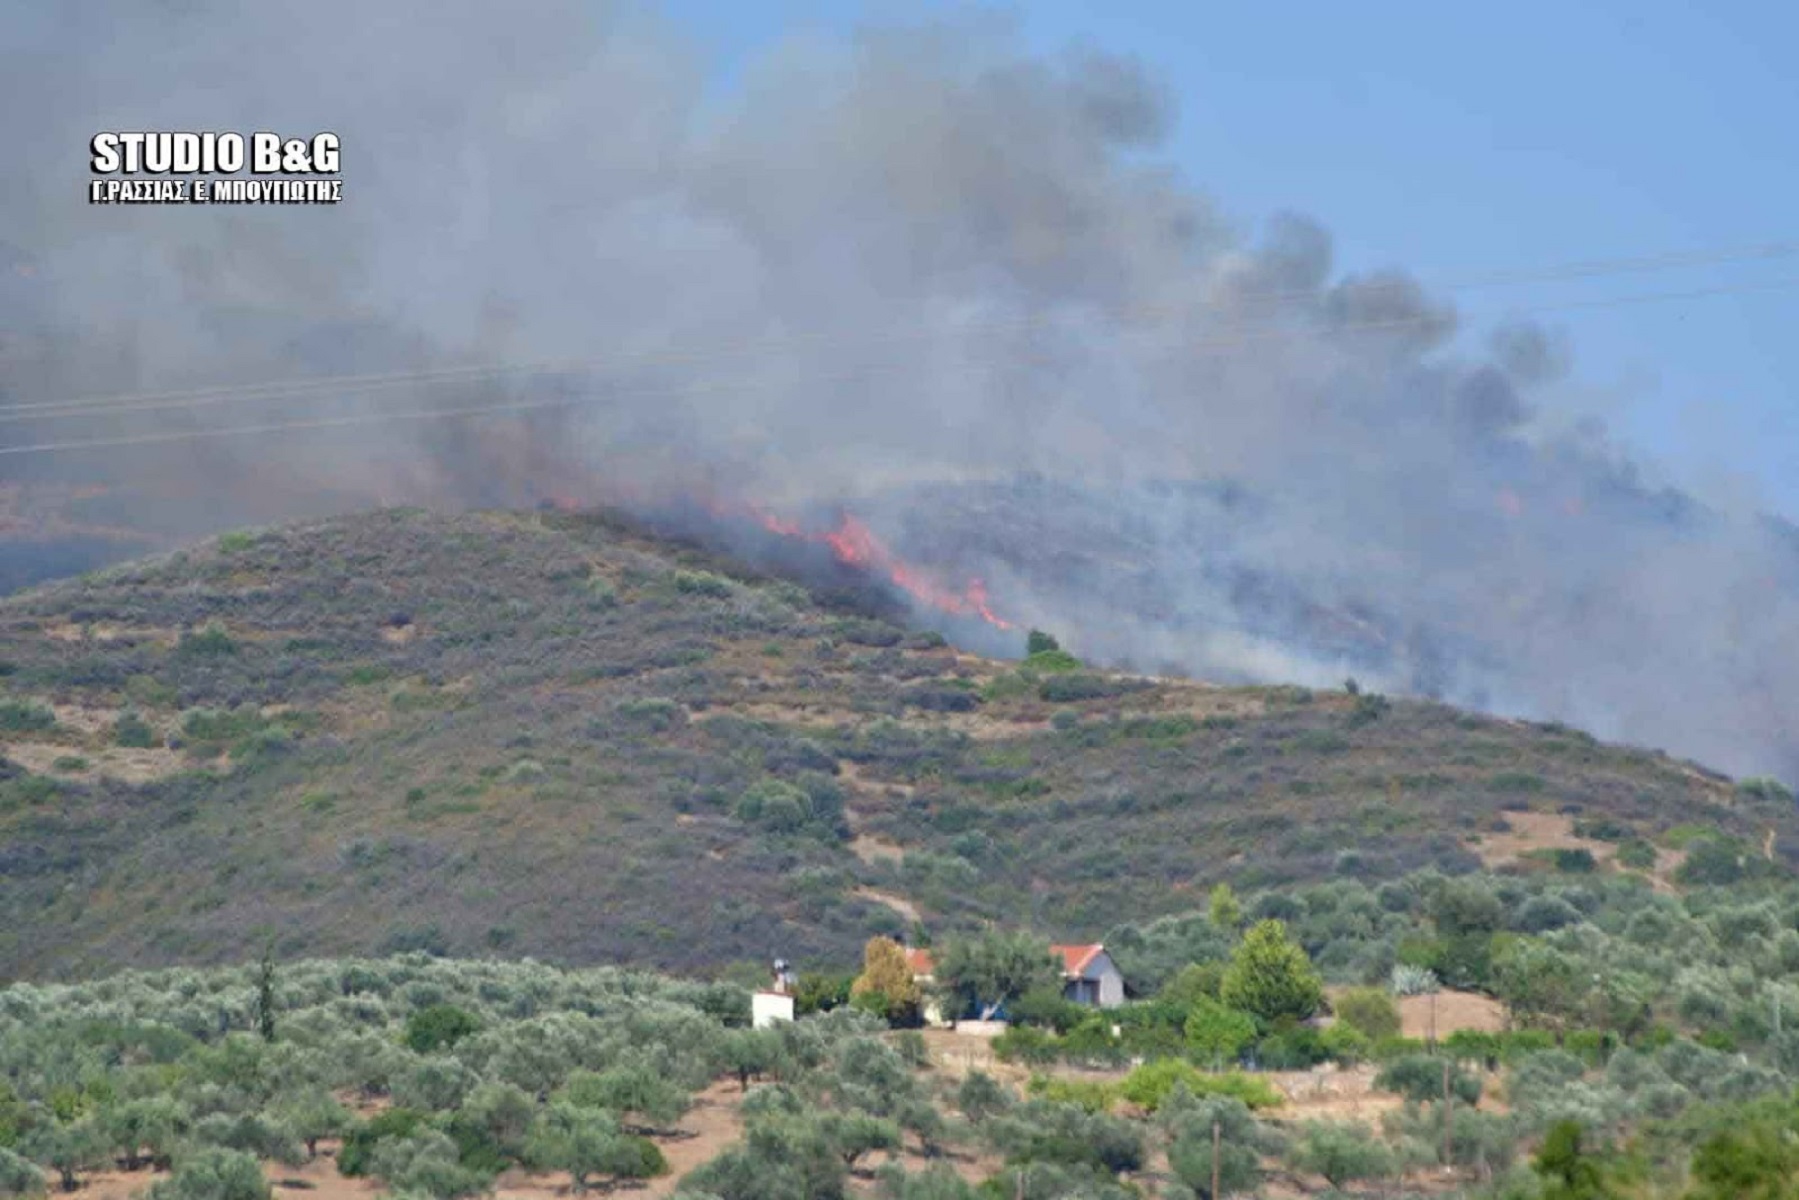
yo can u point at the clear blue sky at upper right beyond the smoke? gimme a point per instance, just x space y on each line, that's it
1458 141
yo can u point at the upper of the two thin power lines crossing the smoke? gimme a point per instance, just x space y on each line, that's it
287 390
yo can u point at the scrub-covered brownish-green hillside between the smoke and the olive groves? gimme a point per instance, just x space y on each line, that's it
564 737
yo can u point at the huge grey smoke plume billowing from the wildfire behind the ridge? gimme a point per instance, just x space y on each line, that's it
922 276
